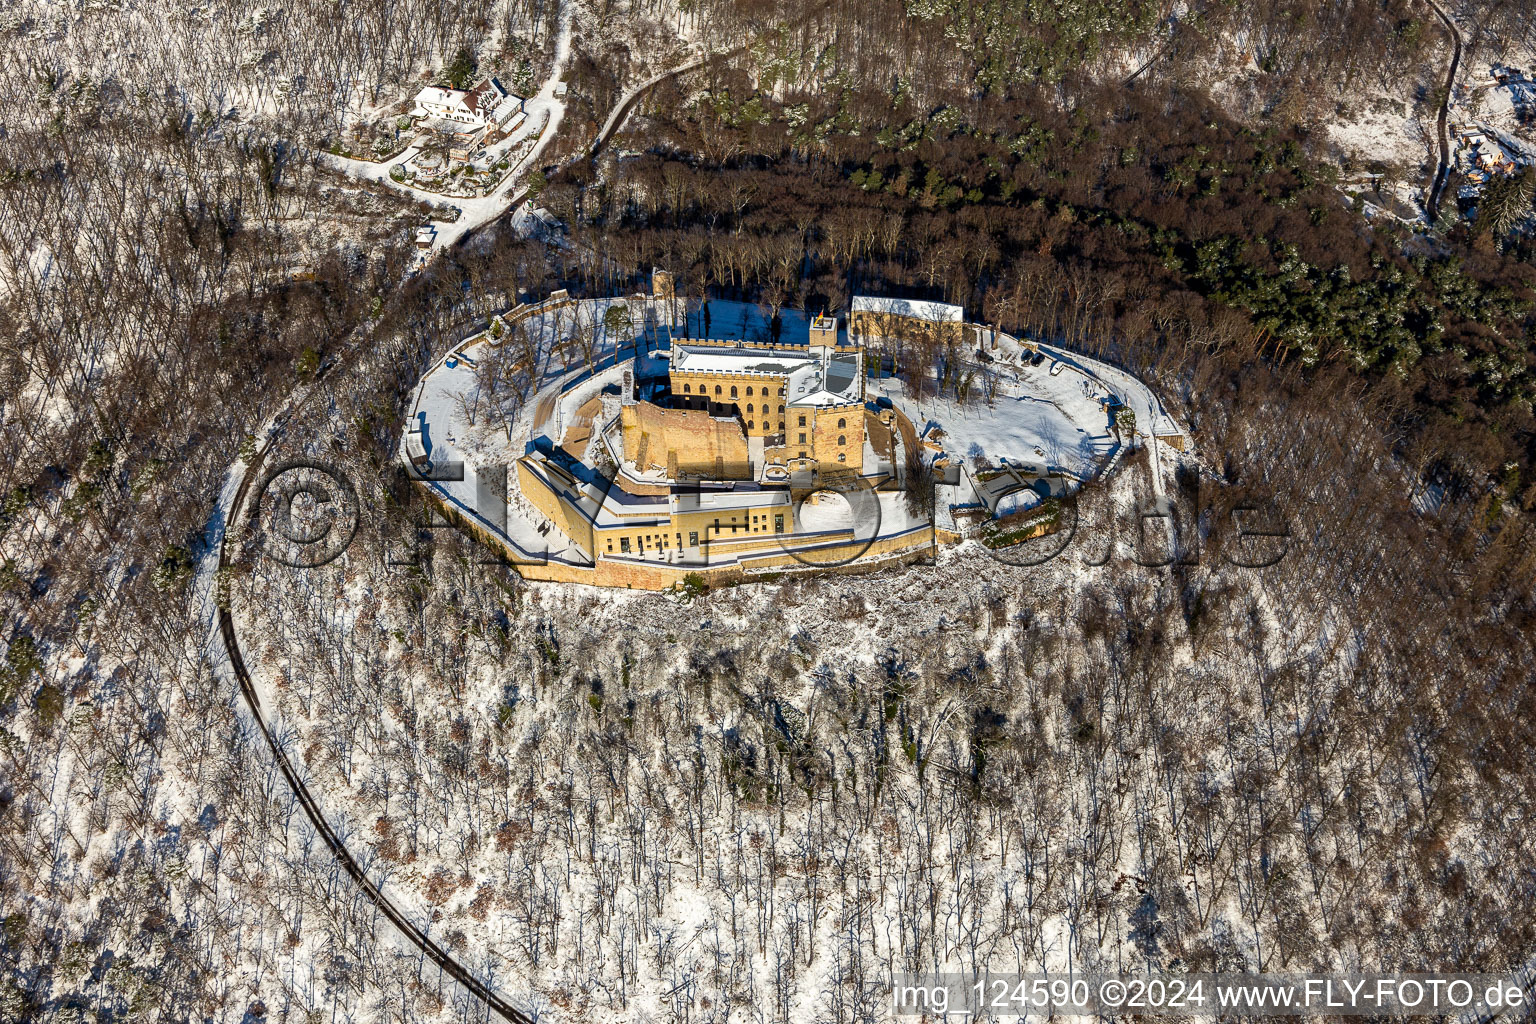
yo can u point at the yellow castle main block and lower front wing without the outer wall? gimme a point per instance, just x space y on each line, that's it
709 467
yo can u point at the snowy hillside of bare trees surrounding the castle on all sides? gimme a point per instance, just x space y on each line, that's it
1097 762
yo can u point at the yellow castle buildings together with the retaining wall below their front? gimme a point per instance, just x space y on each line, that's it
715 469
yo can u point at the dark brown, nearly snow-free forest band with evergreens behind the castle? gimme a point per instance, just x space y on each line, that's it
1144 222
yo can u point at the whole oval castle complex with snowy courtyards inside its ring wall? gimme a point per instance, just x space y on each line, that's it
735 446
